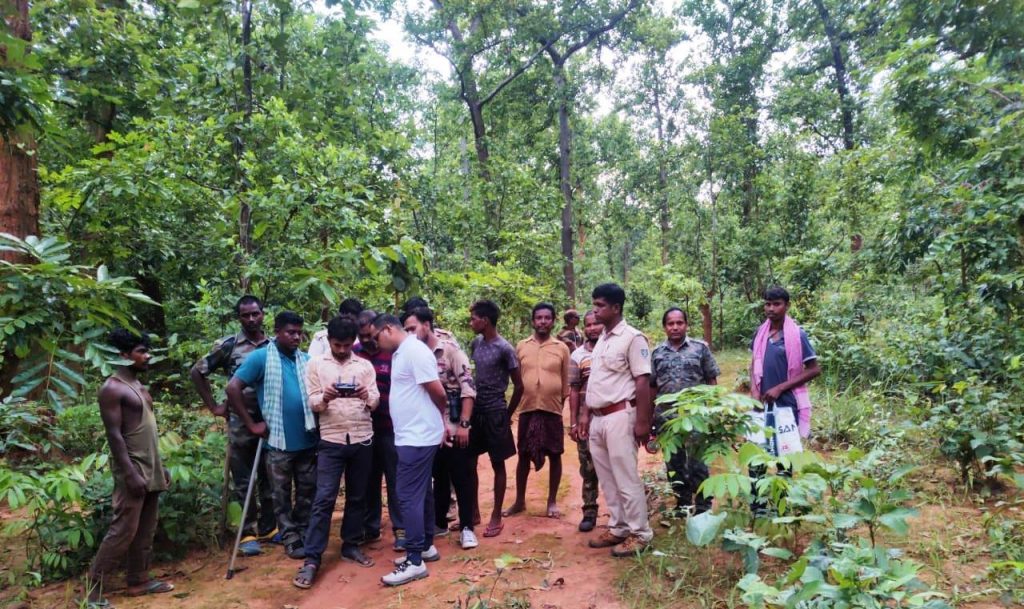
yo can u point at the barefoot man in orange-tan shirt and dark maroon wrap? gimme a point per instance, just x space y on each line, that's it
544 365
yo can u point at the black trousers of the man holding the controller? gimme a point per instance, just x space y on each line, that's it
333 462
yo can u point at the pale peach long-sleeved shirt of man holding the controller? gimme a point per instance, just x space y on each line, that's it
347 420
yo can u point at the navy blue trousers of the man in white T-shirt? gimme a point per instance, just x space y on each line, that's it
416 499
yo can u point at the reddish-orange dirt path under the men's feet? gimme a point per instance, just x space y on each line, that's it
550 565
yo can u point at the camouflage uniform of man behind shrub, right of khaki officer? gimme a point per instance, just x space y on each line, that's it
673 371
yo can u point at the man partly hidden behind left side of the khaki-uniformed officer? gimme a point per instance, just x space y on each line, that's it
579 375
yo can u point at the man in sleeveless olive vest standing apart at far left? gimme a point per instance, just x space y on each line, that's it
140 476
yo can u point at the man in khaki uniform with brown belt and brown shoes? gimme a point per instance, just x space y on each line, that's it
617 421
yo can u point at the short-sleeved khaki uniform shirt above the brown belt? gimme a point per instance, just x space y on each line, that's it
620 357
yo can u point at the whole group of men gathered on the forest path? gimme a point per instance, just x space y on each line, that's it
395 400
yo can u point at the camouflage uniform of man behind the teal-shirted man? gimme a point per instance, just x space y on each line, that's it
228 356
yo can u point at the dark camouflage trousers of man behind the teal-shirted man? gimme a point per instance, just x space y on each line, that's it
261 519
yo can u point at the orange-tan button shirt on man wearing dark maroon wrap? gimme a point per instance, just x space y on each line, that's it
545 370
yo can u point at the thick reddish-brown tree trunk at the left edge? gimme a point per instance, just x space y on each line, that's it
19 181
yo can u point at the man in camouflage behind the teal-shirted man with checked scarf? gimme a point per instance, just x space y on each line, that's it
228 356
